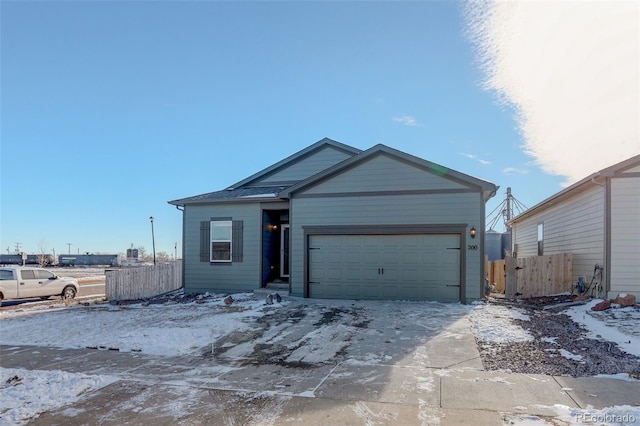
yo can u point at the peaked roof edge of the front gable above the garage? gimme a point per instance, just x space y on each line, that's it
488 189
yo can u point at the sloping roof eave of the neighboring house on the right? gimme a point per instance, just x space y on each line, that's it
581 185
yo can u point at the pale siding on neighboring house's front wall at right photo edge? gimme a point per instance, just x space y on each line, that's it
625 235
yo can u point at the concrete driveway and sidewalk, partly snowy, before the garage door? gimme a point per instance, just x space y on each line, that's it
315 363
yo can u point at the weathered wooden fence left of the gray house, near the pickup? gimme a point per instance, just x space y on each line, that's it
144 281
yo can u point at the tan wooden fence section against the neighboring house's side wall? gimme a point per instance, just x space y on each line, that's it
539 275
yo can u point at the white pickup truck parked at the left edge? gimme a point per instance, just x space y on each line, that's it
24 282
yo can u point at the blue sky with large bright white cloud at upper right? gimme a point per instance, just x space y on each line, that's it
111 109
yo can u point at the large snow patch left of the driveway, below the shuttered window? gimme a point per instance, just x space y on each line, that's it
174 329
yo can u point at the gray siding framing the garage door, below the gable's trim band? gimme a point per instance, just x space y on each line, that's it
385 210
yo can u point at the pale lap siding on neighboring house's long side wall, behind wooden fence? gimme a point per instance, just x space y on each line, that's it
576 225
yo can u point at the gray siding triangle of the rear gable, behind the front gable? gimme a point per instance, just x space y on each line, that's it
306 167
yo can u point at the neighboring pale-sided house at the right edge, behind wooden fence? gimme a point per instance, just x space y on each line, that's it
598 220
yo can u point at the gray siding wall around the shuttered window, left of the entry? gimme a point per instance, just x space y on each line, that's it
201 277
